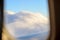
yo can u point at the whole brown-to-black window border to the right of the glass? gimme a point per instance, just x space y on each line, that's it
54 9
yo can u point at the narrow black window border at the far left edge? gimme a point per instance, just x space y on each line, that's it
1 17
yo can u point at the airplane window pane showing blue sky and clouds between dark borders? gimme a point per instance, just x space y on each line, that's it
26 20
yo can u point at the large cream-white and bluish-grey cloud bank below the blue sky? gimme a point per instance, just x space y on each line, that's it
25 23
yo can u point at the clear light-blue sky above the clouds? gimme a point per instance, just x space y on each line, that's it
29 5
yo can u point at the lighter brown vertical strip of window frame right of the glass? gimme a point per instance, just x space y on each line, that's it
52 20
